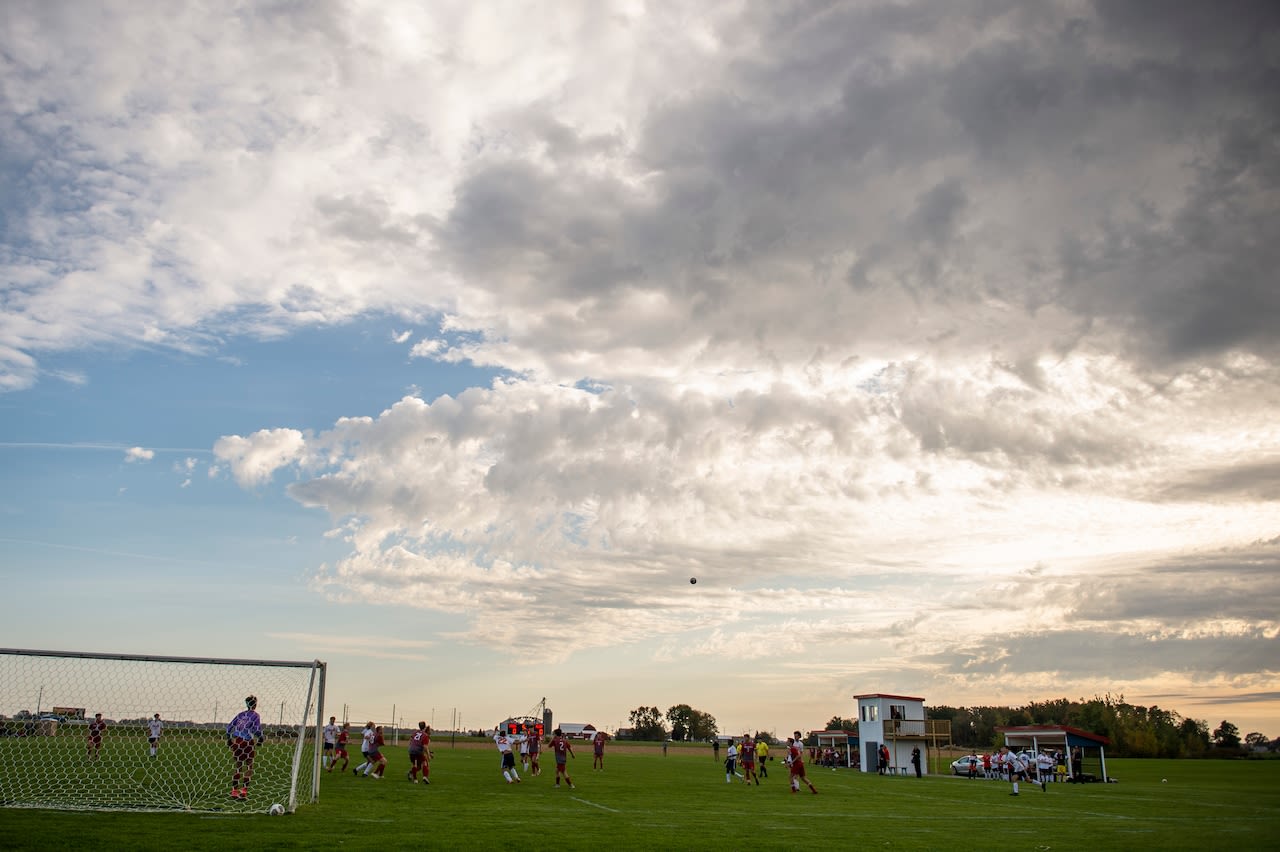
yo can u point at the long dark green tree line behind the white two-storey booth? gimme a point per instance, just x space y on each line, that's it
1135 731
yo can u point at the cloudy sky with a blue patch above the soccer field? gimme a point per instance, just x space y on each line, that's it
446 342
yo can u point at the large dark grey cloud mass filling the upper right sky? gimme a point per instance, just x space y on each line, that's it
789 154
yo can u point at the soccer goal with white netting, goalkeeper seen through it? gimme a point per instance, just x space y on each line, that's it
156 734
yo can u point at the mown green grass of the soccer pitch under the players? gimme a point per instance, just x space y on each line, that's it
650 801
